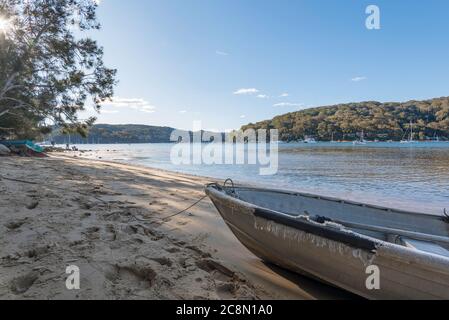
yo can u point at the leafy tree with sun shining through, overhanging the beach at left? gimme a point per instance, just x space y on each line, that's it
47 73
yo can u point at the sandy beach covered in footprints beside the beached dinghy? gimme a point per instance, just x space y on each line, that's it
115 222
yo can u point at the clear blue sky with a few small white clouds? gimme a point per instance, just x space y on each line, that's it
227 63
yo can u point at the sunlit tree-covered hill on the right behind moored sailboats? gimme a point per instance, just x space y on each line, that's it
382 121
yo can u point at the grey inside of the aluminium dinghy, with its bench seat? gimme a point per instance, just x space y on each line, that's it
429 233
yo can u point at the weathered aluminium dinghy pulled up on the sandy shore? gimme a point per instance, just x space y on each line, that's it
374 252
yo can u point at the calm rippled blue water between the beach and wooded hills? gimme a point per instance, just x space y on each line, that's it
412 177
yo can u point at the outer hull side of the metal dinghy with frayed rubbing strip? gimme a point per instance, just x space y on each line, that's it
333 258
